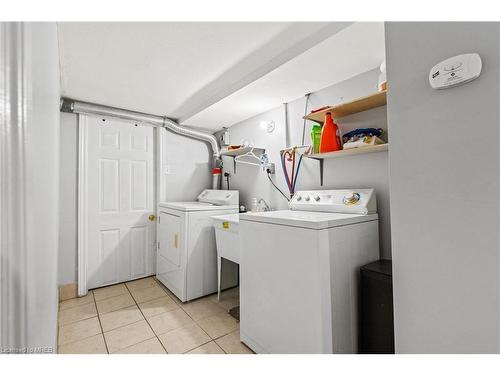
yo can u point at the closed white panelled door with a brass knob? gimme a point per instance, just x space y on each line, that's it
119 182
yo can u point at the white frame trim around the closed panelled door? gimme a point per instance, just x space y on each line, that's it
82 209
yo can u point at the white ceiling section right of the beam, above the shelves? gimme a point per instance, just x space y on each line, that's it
352 51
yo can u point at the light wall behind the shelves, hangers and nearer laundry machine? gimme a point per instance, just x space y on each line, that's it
359 171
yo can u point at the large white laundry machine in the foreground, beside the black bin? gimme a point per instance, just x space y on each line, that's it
300 268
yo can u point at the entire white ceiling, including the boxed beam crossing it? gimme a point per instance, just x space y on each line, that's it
210 75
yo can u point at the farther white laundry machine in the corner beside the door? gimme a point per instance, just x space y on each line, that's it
187 253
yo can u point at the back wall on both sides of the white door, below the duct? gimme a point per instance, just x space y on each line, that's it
184 173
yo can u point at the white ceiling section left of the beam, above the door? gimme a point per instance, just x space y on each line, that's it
159 68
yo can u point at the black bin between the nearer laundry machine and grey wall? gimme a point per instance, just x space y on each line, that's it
376 317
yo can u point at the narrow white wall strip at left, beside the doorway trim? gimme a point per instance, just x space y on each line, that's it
43 185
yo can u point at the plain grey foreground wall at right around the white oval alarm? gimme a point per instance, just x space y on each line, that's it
444 168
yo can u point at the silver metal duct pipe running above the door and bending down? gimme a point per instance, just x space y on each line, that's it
73 106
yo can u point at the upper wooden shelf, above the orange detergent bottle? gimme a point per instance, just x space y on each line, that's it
364 103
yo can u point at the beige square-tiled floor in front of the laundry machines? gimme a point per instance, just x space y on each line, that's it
144 317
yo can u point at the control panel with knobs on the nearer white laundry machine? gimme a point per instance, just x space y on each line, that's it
356 201
